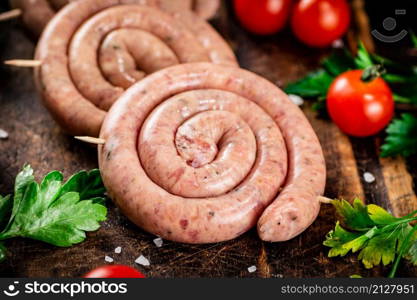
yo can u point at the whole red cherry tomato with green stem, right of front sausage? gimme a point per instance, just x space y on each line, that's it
359 108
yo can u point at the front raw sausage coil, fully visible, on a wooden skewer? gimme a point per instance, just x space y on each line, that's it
198 153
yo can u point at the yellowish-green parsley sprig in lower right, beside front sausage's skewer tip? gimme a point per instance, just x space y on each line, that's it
376 234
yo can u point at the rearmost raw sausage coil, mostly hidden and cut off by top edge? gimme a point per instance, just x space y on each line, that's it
37 13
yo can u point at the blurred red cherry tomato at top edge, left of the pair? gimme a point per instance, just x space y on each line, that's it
262 16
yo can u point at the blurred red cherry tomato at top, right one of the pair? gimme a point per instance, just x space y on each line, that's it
318 23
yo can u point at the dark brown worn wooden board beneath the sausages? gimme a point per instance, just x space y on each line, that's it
36 139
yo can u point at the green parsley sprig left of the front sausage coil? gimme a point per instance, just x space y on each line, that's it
53 212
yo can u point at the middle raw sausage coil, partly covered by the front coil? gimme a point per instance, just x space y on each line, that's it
91 51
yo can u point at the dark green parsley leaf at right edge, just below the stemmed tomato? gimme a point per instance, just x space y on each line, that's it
401 137
